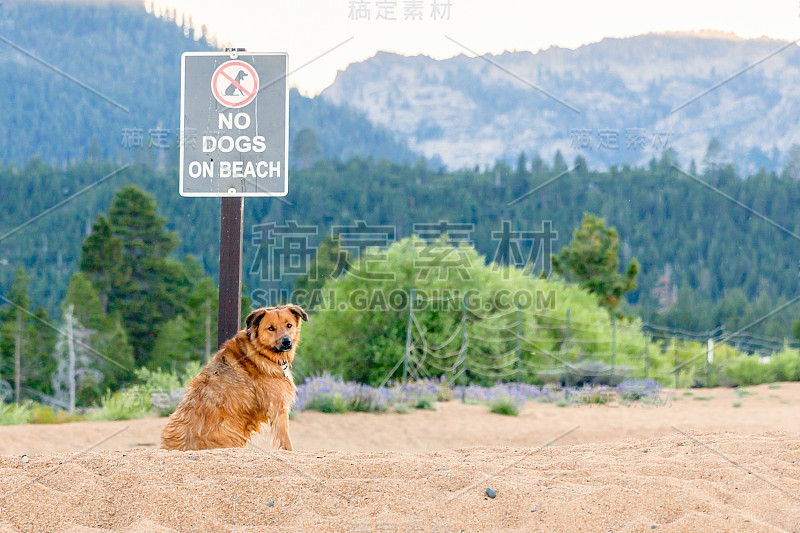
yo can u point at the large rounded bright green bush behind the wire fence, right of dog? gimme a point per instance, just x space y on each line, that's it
362 340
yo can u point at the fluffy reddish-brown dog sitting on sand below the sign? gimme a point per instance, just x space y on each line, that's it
246 383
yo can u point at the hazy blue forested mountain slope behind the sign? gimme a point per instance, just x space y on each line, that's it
103 81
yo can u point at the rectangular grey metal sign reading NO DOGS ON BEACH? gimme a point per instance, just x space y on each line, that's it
234 124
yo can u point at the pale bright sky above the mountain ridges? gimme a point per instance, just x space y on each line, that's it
324 36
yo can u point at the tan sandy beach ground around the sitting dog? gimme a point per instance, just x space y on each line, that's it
698 463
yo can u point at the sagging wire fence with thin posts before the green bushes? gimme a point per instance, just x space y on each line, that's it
529 346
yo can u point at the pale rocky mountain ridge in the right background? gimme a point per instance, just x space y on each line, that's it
473 110
